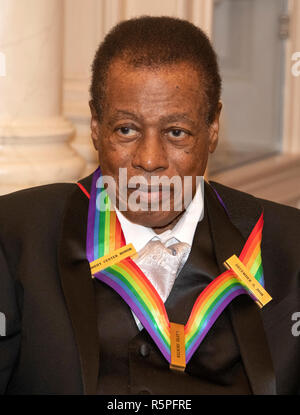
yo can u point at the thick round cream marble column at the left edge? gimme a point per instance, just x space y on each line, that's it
34 137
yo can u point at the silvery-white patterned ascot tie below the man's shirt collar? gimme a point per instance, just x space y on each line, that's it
161 264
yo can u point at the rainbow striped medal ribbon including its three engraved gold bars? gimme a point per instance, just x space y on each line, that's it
110 262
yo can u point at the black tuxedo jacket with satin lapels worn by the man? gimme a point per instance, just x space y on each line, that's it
46 292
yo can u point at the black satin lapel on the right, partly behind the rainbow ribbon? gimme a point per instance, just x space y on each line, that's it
245 314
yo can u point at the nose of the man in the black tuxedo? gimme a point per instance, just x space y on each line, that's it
150 154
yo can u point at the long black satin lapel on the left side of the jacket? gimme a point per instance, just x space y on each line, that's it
77 285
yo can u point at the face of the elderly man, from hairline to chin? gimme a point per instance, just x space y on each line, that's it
154 124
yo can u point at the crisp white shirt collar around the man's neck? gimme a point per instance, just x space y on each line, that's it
183 231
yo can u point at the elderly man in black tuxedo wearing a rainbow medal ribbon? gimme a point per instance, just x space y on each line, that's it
161 314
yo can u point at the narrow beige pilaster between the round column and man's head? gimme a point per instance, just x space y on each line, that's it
95 18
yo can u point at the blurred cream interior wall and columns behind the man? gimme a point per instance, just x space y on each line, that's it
46 50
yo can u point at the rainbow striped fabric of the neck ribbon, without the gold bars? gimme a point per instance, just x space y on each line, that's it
104 235
